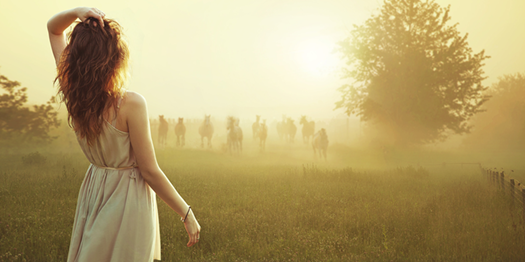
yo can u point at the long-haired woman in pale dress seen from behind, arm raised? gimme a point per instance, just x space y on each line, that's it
116 217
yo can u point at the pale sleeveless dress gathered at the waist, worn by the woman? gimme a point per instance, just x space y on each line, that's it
116 218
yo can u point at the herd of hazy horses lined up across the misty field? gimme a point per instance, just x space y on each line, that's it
286 129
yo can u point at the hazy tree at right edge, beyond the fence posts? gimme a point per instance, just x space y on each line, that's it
502 126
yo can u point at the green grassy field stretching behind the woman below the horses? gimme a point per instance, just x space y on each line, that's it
281 205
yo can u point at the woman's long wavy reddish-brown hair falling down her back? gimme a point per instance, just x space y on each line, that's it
91 74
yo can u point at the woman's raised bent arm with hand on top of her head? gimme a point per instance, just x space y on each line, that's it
59 22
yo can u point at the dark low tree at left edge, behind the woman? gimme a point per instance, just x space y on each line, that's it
20 124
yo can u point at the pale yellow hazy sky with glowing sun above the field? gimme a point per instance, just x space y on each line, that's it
240 57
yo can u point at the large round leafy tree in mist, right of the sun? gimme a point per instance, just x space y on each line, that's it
414 76
